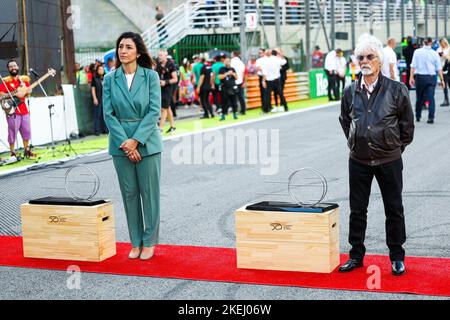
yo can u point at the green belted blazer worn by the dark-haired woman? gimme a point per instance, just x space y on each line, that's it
133 114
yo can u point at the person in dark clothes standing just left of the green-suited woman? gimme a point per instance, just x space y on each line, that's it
97 99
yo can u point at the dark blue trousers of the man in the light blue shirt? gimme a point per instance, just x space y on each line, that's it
425 87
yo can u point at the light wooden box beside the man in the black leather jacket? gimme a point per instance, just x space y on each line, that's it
287 241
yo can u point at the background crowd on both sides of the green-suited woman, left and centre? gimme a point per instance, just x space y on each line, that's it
213 85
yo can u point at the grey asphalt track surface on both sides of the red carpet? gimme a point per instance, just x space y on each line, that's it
198 202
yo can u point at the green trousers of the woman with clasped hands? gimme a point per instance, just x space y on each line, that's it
140 188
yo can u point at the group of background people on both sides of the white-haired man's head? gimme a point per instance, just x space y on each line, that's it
426 61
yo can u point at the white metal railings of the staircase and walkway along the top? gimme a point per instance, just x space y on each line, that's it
201 14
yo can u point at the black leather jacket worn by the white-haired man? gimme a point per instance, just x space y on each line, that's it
379 129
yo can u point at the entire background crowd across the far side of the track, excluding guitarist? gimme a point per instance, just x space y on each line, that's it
215 85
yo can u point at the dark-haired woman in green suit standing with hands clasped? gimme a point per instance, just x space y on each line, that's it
132 106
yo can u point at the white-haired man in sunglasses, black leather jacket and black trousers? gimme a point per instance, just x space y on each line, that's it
378 122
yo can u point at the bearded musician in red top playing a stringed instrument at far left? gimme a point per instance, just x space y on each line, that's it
20 121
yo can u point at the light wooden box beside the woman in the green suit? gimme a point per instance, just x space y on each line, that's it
68 232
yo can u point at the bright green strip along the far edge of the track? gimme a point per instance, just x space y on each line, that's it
92 143
